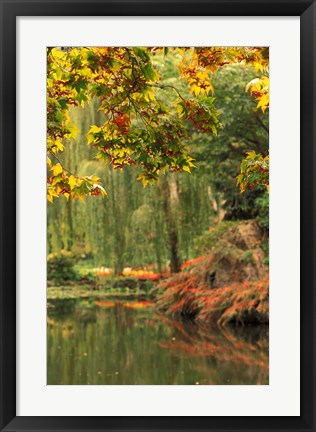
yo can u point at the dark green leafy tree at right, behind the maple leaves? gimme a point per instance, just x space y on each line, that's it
244 129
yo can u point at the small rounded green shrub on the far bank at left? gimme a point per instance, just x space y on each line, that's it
60 267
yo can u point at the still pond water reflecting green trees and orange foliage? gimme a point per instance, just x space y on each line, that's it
107 342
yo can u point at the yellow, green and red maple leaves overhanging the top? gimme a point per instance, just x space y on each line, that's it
139 128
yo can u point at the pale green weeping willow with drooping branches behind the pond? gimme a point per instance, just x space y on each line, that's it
133 225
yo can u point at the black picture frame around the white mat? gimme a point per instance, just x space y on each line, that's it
12 9
